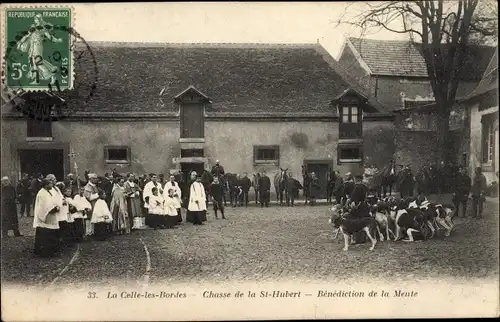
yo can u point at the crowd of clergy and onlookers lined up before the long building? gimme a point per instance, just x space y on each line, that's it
77 209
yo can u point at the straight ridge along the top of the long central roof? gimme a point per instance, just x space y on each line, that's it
197 45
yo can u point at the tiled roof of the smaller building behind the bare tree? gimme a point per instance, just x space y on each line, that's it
403 58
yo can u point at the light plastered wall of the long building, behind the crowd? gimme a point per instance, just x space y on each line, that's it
154 144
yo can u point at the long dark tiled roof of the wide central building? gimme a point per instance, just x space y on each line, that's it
238 78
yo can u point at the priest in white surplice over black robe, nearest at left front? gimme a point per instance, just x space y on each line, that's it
45 221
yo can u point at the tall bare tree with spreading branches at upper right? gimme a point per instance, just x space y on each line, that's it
443 30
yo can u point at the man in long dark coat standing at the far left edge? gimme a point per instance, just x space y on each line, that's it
9 209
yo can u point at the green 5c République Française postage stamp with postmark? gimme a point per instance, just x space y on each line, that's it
37 49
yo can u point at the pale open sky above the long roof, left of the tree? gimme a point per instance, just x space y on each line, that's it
223 22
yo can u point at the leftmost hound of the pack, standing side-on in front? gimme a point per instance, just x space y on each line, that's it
349 227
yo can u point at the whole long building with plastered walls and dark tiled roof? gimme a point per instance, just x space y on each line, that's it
168 107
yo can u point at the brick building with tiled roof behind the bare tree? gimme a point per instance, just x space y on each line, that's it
394 72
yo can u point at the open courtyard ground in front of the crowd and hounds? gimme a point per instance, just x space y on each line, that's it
257 244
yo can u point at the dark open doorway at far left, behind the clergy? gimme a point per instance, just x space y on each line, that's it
50 161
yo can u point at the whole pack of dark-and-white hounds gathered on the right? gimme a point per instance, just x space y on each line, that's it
408 219
